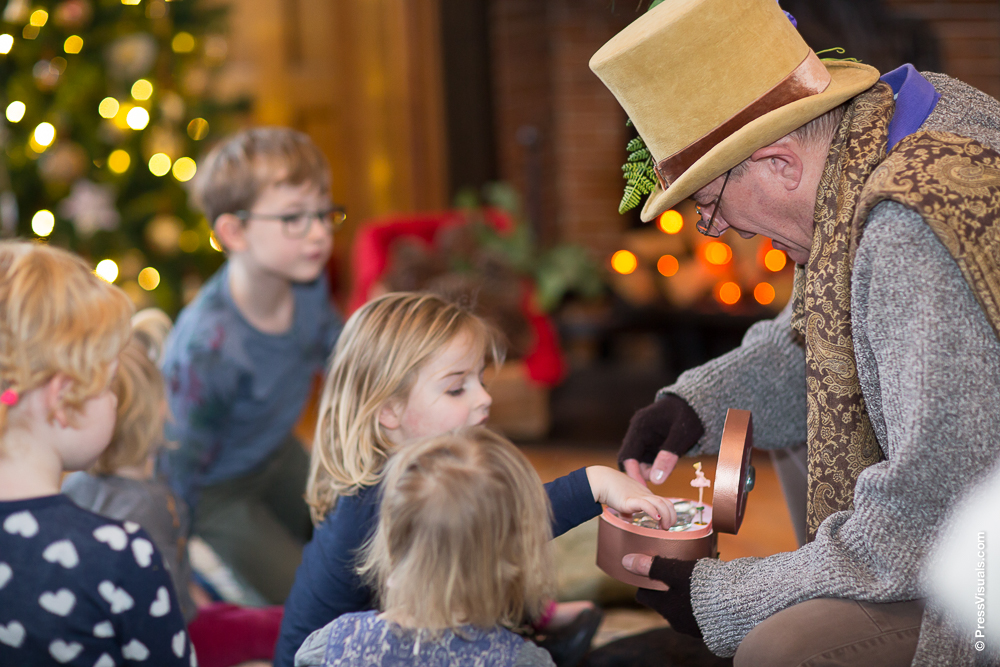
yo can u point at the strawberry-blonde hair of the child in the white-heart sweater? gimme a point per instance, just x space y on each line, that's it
56 317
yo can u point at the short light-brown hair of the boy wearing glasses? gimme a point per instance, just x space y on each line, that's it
234 173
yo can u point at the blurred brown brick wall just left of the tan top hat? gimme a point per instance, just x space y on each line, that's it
560 133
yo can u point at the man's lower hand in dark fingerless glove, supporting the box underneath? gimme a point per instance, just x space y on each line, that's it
674 604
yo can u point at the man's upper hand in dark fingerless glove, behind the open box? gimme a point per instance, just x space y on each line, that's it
656 438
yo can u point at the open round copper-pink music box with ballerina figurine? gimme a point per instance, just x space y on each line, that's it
690 539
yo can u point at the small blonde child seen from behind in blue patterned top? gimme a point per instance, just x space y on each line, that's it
461 553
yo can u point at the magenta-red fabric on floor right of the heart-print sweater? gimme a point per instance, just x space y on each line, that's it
226 634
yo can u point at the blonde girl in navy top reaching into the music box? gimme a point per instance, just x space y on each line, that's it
407 366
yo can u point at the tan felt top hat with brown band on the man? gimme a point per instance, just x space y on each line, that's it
708 82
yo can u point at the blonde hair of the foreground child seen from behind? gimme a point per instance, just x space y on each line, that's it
463 535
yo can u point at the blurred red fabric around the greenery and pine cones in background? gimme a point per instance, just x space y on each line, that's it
370 255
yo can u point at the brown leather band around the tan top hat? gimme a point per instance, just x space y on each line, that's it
809 78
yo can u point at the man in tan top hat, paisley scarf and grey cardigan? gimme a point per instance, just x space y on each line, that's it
886 194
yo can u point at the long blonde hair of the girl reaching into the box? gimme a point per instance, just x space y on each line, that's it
380 352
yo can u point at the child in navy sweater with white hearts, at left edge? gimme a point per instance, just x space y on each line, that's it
75 587
